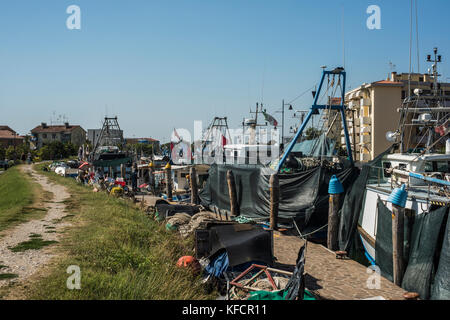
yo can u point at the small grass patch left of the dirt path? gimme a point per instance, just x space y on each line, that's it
21 198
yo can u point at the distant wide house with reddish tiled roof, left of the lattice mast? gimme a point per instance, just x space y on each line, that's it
64 133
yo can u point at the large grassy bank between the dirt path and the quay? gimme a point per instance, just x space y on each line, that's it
121 253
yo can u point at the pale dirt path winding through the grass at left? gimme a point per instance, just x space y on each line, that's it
26 263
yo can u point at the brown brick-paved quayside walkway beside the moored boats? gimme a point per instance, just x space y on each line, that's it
330 278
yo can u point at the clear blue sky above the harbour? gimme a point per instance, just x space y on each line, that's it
163 64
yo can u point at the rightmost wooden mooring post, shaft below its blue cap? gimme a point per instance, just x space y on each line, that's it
398 221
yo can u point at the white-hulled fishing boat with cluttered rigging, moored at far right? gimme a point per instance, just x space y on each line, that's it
419 169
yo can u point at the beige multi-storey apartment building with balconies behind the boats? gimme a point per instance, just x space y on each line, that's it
372 111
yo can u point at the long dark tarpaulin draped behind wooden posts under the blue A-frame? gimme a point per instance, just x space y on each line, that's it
303 195
